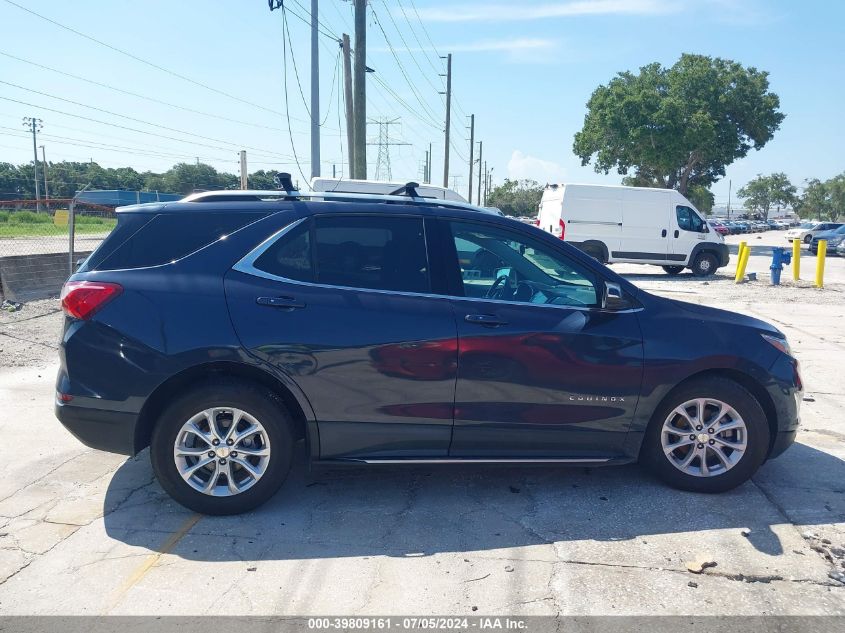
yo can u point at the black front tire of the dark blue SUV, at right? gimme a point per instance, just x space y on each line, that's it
719 476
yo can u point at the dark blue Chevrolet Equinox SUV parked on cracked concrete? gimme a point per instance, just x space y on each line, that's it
222 329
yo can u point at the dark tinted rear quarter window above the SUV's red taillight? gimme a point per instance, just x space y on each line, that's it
169 237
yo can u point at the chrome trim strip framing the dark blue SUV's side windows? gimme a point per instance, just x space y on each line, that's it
246 265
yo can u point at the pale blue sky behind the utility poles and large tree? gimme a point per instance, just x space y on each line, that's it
524 69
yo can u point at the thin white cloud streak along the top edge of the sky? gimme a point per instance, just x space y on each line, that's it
486 12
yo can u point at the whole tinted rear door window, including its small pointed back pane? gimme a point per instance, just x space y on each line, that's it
375 252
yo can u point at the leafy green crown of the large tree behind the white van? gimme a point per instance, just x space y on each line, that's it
680 126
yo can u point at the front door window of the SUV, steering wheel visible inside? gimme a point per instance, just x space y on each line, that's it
506 266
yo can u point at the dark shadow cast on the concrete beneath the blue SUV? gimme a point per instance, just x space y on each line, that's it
415 511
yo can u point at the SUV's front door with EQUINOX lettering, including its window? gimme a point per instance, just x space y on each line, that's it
543 371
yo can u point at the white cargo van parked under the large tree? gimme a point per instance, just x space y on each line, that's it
633 224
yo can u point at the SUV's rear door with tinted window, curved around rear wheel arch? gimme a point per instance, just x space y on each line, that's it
341 304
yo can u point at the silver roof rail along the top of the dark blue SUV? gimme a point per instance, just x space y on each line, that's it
257 195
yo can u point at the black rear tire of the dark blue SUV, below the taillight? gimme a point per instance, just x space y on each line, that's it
276 437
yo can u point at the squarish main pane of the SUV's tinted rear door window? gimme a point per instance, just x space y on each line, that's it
383 253
